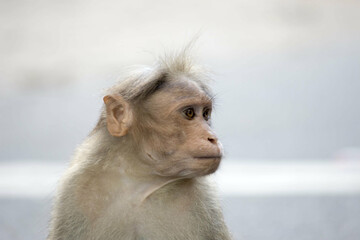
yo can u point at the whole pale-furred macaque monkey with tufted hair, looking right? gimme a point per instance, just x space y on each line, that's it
141 174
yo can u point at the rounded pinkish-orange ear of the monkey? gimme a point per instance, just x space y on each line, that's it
118 115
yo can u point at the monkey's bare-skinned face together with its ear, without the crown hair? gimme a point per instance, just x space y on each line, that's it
171 127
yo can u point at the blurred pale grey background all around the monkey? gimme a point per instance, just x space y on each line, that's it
287 79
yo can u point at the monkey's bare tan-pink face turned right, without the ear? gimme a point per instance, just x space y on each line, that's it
176 136
